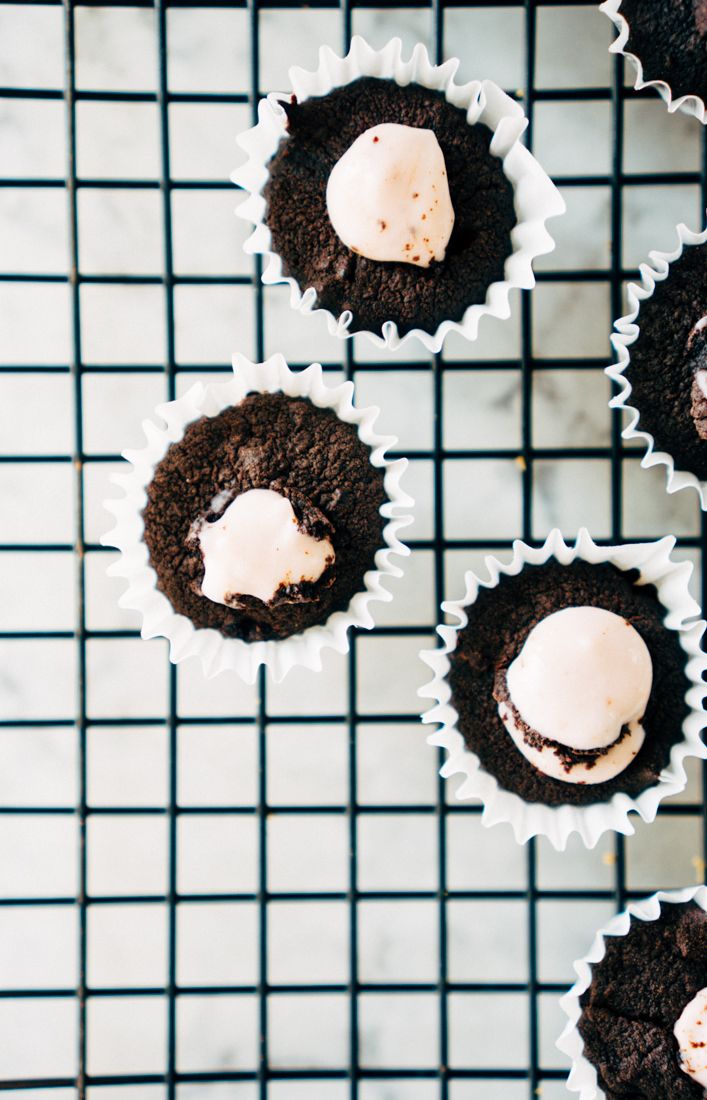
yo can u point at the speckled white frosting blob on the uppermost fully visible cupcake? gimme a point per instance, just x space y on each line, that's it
389 197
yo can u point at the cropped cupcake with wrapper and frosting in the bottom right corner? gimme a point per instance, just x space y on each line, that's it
638 1013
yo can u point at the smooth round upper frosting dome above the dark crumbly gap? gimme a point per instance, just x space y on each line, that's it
581 677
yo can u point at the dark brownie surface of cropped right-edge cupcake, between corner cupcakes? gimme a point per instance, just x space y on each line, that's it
664 361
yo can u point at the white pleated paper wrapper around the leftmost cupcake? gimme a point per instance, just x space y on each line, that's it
159 619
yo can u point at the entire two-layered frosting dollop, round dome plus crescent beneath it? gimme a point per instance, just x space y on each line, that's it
583 675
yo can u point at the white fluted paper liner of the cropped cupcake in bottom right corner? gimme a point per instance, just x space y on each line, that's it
583 1076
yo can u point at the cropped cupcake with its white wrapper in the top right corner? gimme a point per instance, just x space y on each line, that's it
667 43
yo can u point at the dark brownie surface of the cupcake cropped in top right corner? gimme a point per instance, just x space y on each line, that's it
670 40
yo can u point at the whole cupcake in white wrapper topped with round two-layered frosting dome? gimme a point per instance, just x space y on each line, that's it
569 692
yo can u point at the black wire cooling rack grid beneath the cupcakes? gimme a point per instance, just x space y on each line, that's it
444 1074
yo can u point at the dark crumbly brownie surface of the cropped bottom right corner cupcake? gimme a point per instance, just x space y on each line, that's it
638 993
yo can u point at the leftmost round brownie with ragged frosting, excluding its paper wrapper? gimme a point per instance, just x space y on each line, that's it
263 521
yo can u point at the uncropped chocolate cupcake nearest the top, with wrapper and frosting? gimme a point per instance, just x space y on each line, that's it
393 200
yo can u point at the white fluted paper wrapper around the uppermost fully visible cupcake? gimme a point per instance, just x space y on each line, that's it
536 197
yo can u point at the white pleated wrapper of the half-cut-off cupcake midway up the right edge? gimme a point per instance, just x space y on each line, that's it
627 332
